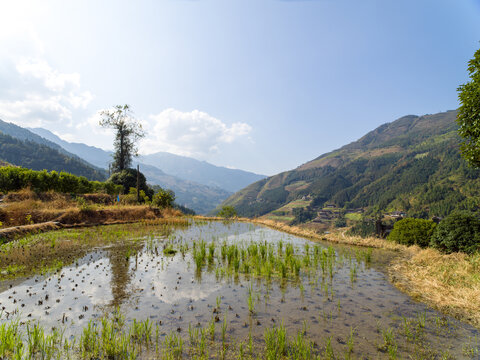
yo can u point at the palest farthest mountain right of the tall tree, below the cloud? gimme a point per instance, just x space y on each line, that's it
201 171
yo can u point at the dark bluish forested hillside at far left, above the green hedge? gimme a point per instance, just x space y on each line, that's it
35 156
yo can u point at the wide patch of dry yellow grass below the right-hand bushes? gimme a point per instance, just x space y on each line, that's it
450 283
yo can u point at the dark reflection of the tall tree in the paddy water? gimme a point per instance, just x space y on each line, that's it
119 257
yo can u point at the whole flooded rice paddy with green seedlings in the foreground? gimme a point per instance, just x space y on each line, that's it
211 290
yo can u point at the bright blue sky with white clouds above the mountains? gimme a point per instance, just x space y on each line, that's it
258 85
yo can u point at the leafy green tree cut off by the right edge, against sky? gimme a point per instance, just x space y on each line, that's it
468 117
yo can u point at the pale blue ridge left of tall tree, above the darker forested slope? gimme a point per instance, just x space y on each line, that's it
92 154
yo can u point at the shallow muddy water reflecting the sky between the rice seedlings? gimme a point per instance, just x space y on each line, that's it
169 290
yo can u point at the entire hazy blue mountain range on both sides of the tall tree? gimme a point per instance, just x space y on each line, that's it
192 181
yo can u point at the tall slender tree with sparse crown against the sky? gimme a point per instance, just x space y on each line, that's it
128 132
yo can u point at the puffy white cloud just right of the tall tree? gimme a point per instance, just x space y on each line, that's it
193 133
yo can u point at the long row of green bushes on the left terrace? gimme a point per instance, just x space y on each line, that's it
16 178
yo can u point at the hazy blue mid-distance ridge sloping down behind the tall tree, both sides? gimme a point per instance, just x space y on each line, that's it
191 194
